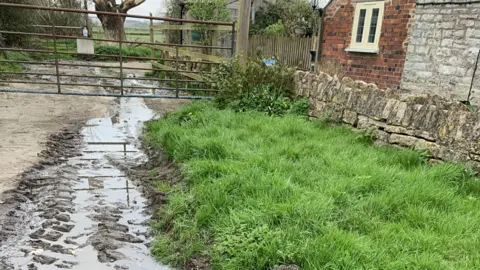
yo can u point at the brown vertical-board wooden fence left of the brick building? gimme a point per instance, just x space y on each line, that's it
293 51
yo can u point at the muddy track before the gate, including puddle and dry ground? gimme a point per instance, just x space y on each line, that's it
69 201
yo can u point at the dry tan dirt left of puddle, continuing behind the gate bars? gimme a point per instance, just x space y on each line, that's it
26 120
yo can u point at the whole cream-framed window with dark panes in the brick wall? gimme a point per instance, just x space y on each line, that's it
367 26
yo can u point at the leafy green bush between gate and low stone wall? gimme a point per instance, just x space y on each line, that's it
256 86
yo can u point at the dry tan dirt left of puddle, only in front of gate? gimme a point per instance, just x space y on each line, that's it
26 122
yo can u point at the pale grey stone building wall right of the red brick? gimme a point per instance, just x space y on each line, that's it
443 49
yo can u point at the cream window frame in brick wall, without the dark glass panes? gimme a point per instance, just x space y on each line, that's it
365 46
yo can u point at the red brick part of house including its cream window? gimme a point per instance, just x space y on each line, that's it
368 38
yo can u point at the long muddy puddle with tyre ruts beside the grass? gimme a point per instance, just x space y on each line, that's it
80 210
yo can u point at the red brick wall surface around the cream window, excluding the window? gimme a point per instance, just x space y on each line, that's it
385 68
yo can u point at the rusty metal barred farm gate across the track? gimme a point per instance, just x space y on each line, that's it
177 68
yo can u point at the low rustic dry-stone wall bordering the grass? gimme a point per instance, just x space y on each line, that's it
448 129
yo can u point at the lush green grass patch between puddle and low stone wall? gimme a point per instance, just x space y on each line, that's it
261 191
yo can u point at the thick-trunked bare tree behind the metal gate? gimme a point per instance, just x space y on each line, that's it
113 25
